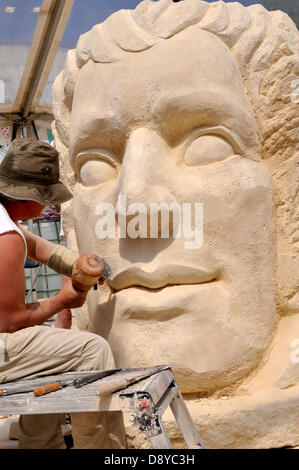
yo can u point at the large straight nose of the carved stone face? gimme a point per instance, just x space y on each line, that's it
143 182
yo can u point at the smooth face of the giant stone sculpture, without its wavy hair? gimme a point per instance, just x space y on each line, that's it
173 123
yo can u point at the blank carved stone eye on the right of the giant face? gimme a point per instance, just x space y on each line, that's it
208 148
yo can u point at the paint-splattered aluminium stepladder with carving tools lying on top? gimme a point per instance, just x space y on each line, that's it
144 403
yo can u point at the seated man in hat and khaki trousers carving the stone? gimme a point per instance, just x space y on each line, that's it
29 180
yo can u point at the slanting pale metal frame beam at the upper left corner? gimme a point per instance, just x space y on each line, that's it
50 26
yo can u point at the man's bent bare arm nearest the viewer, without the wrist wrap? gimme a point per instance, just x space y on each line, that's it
14 313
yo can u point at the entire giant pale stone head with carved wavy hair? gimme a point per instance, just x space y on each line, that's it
186 103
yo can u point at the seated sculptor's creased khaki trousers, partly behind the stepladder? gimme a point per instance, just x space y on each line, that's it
41 350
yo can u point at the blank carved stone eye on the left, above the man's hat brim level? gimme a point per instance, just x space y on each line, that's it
95 168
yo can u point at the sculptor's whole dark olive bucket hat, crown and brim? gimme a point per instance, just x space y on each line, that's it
30 171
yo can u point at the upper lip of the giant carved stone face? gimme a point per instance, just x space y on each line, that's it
167 275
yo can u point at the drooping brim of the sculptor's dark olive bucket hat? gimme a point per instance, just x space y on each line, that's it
43 194
